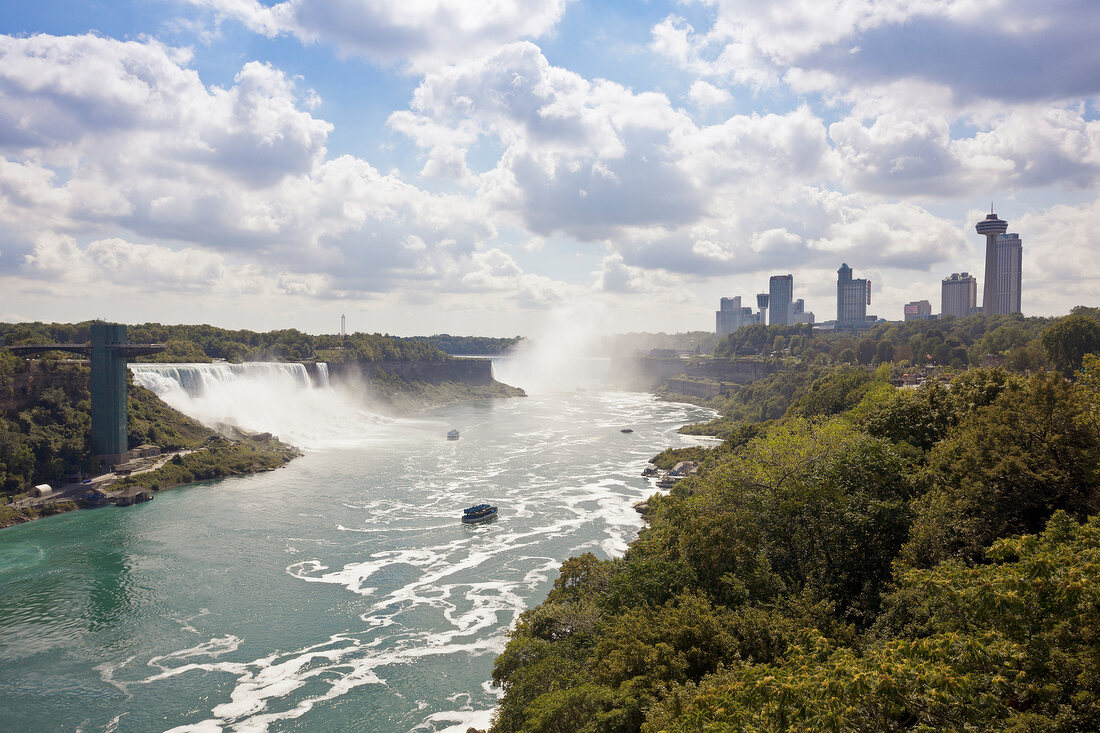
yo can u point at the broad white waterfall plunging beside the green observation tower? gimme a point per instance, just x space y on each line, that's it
262 397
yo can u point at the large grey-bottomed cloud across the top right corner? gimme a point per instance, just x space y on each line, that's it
1005 50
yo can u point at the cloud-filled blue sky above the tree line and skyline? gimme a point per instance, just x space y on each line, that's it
501 167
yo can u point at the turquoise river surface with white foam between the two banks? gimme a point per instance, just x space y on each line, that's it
340 593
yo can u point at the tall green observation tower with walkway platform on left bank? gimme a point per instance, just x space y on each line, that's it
108 352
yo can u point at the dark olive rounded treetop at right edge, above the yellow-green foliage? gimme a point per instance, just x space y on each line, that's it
1006 471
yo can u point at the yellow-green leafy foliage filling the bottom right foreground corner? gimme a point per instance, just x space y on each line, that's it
1007 647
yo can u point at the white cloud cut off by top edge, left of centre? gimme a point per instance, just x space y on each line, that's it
416 35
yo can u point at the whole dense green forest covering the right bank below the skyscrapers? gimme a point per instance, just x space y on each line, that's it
855 556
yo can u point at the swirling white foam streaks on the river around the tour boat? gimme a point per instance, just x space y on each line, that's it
455 597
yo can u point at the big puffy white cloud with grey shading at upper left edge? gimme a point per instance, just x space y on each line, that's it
63 93
